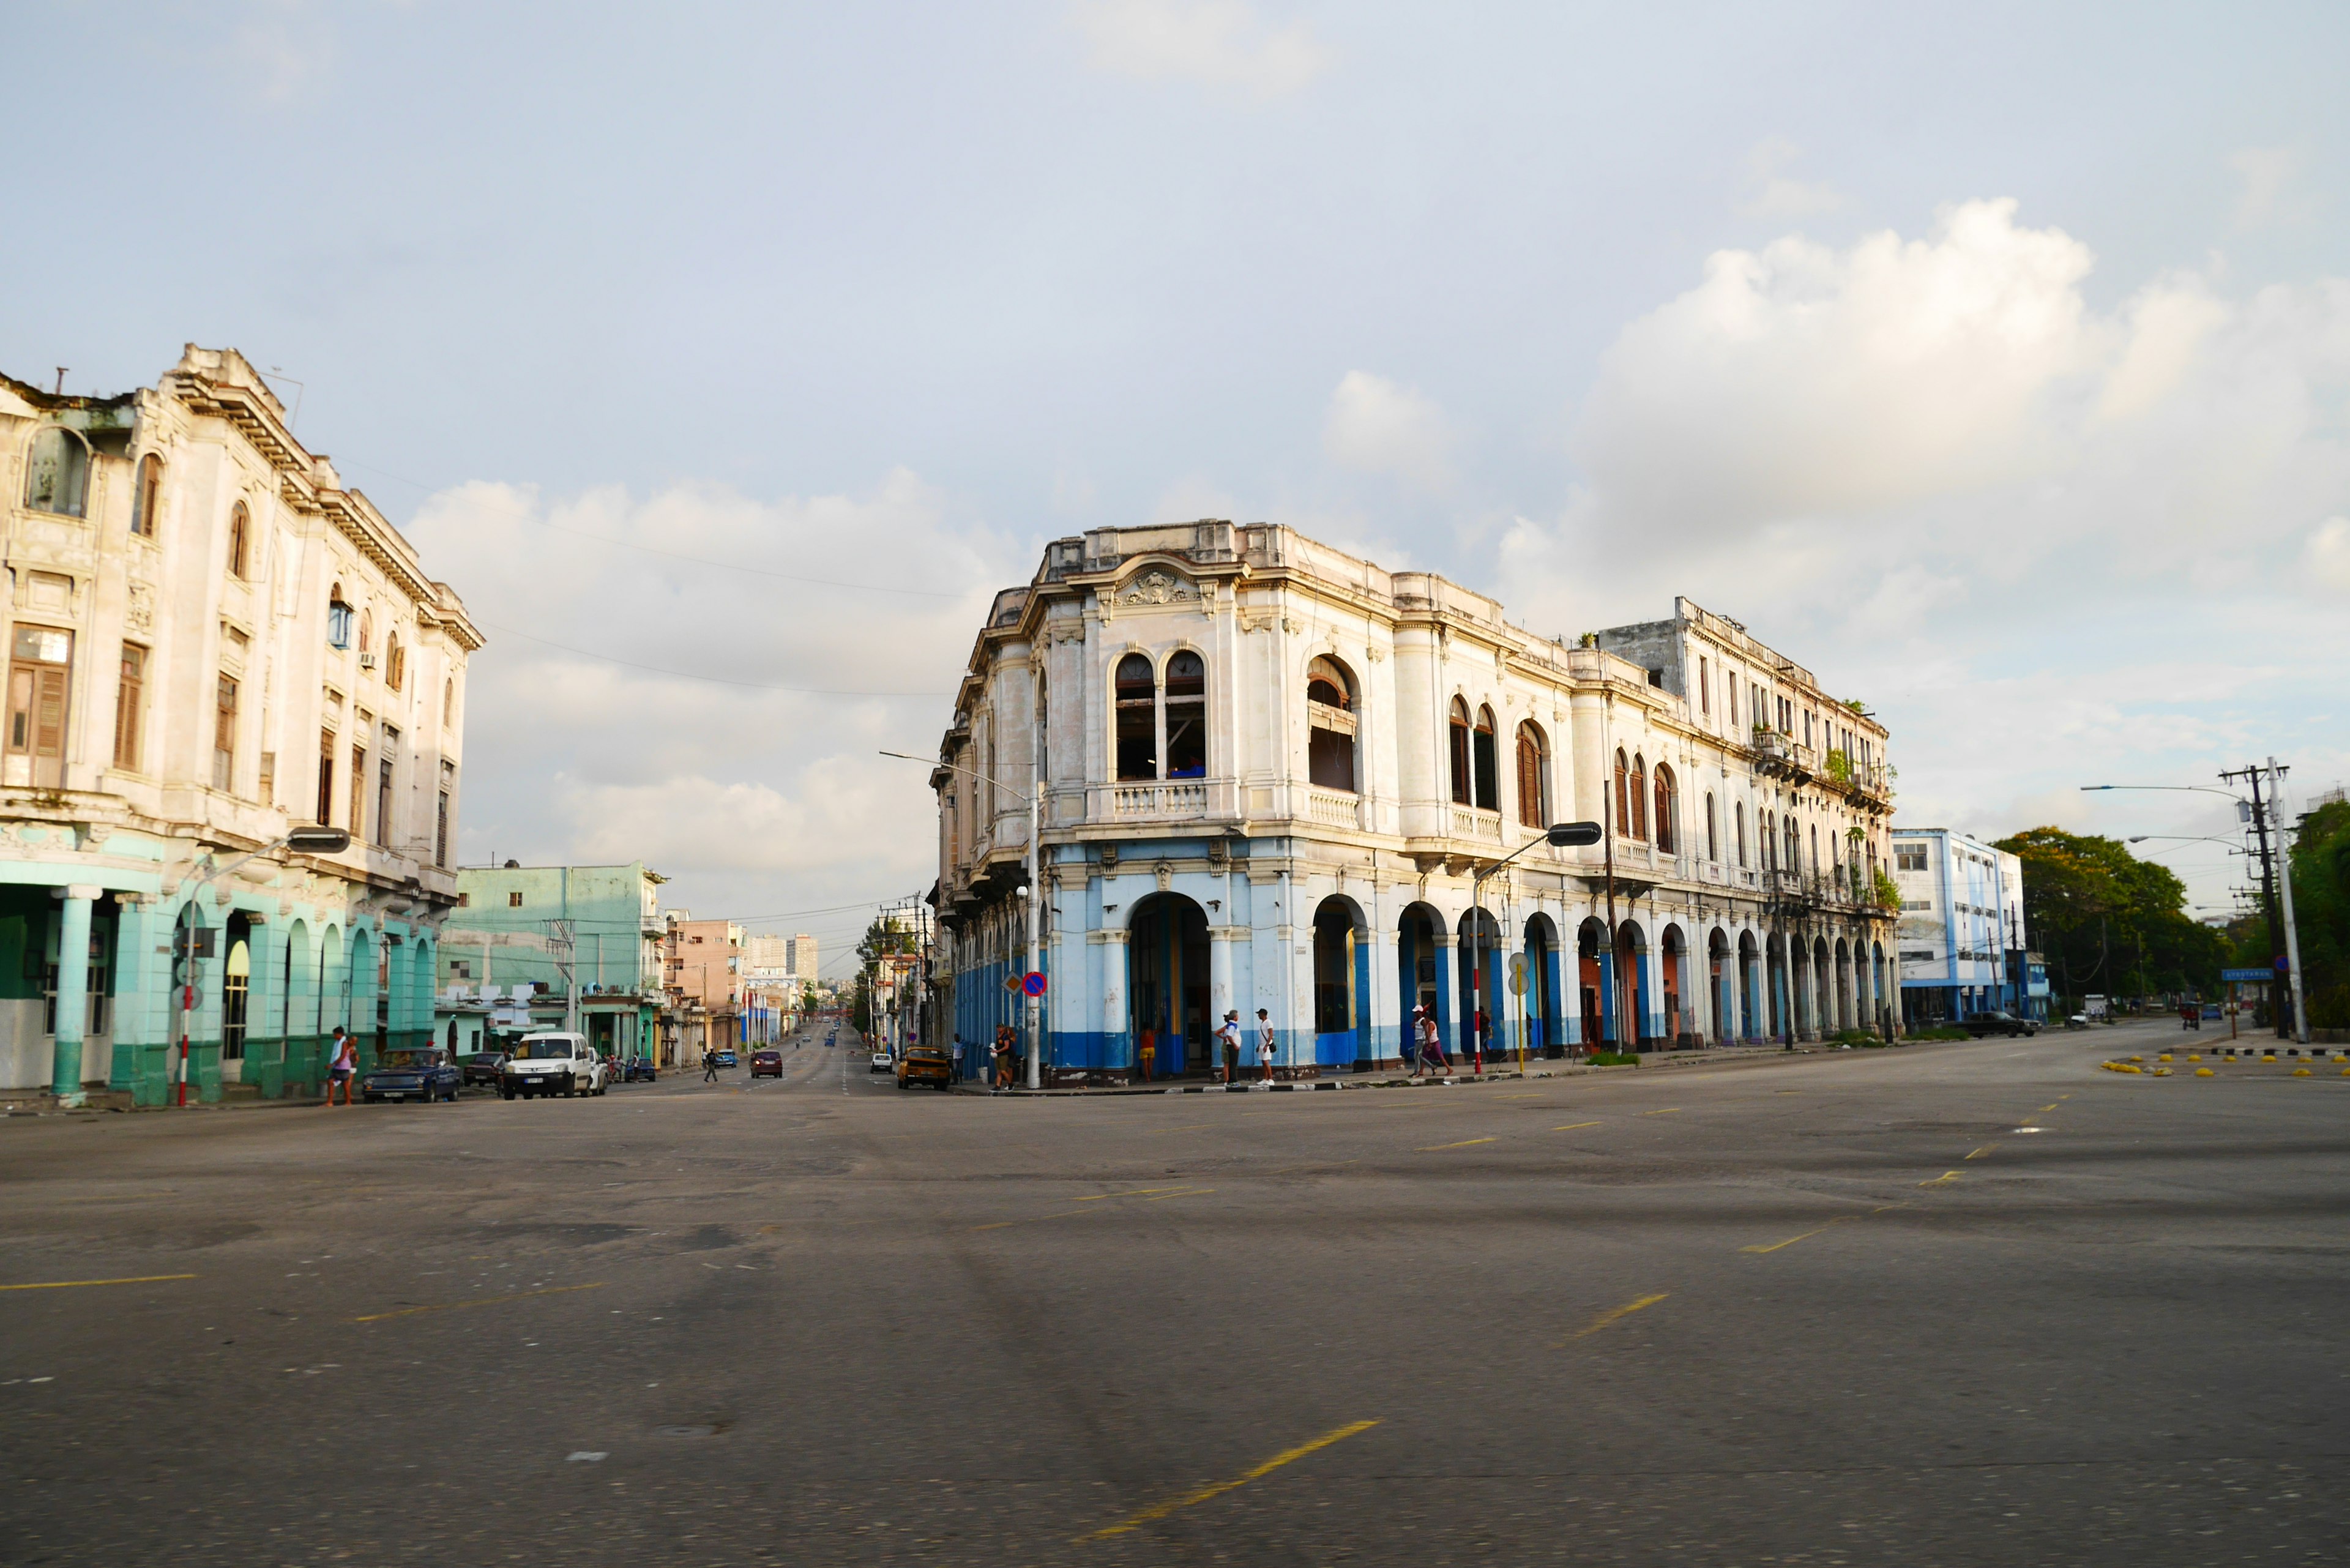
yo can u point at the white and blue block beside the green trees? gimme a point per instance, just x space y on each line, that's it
1961 937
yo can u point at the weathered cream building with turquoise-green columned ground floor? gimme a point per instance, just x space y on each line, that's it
210 643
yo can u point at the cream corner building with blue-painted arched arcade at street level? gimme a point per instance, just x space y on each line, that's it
1270 775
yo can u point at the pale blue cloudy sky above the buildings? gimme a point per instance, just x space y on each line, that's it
725 359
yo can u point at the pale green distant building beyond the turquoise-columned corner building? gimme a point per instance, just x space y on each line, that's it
558 946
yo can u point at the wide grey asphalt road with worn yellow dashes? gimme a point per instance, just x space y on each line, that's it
1973 1304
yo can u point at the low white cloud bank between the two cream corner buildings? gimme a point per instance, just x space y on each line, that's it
669 732
